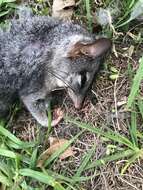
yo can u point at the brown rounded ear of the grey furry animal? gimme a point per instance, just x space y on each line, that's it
95 49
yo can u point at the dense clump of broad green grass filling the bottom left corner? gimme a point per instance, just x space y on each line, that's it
18 160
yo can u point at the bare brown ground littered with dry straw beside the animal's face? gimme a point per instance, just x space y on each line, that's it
104 108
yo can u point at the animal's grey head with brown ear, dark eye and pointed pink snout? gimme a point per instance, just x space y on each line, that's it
77 66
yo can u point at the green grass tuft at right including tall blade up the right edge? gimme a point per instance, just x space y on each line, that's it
129 148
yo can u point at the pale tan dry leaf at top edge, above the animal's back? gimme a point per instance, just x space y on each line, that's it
63 8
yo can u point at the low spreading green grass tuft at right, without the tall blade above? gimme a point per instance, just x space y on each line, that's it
127 148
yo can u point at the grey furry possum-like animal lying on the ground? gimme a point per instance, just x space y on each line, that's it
40 54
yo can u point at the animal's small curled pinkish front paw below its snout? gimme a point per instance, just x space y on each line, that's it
58 116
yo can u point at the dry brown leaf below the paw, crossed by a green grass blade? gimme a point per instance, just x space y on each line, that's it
55 144
